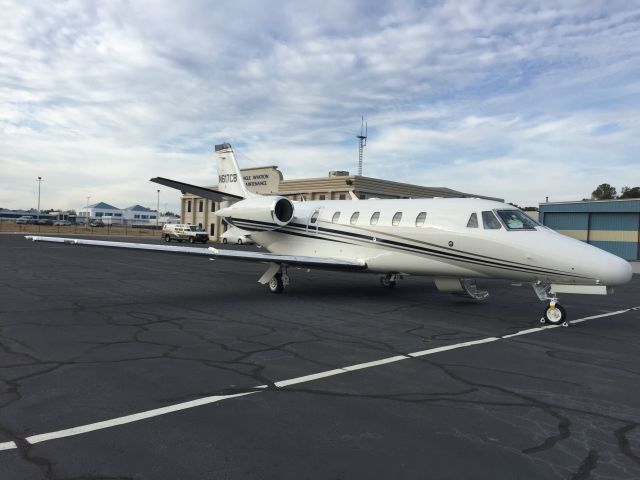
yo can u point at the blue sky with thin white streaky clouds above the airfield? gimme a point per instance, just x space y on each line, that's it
519 100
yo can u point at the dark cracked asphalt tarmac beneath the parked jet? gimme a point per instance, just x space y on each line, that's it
134 365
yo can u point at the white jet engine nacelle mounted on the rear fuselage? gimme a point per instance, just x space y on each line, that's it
263 213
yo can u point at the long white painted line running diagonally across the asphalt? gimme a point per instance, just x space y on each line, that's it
136 417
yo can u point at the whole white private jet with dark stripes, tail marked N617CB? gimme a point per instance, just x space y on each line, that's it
455 240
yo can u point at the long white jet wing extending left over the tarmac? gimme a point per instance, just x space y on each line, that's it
240 255
